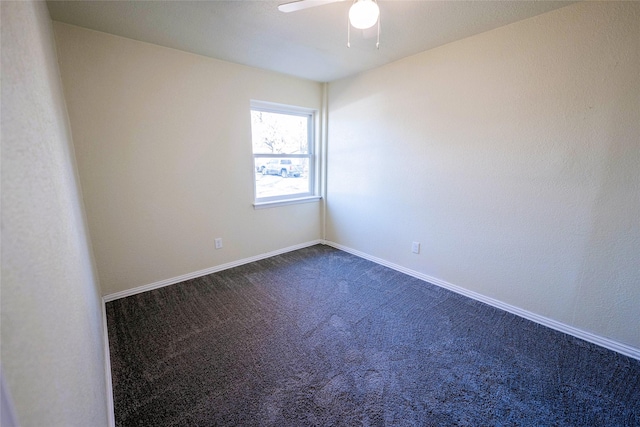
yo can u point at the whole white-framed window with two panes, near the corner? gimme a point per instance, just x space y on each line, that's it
283 153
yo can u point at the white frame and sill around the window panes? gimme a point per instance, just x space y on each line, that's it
312 125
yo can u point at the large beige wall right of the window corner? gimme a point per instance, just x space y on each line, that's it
512 156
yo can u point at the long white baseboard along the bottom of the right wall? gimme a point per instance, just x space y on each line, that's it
545 321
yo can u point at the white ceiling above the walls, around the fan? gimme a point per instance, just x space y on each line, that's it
311 43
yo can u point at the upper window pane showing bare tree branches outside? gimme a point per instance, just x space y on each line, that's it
275 133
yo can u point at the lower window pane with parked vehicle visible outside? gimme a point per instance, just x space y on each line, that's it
281 176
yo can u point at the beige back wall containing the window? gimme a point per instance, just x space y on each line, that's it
163 146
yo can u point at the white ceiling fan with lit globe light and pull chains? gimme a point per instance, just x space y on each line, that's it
363 14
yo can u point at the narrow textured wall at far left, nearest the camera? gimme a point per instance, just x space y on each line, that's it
52 345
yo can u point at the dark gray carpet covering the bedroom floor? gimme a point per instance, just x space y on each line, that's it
319 337
